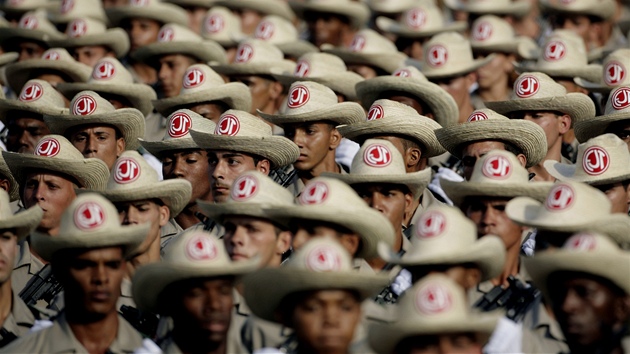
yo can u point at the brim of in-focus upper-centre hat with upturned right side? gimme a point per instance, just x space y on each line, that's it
340 113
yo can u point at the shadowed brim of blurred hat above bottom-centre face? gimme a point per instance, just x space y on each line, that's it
264 300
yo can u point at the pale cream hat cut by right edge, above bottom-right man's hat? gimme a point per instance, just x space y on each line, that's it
571 207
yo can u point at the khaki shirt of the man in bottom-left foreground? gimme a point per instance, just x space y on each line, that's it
59 338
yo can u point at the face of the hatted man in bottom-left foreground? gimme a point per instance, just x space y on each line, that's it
93 280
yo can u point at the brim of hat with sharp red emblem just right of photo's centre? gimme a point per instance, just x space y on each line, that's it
415 181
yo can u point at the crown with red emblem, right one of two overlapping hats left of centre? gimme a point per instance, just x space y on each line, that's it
239 123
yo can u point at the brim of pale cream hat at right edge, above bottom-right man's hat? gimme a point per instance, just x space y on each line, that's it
526 211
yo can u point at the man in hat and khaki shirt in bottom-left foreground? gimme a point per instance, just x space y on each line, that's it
88 257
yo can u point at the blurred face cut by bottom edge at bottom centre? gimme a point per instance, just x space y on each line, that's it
325 320
